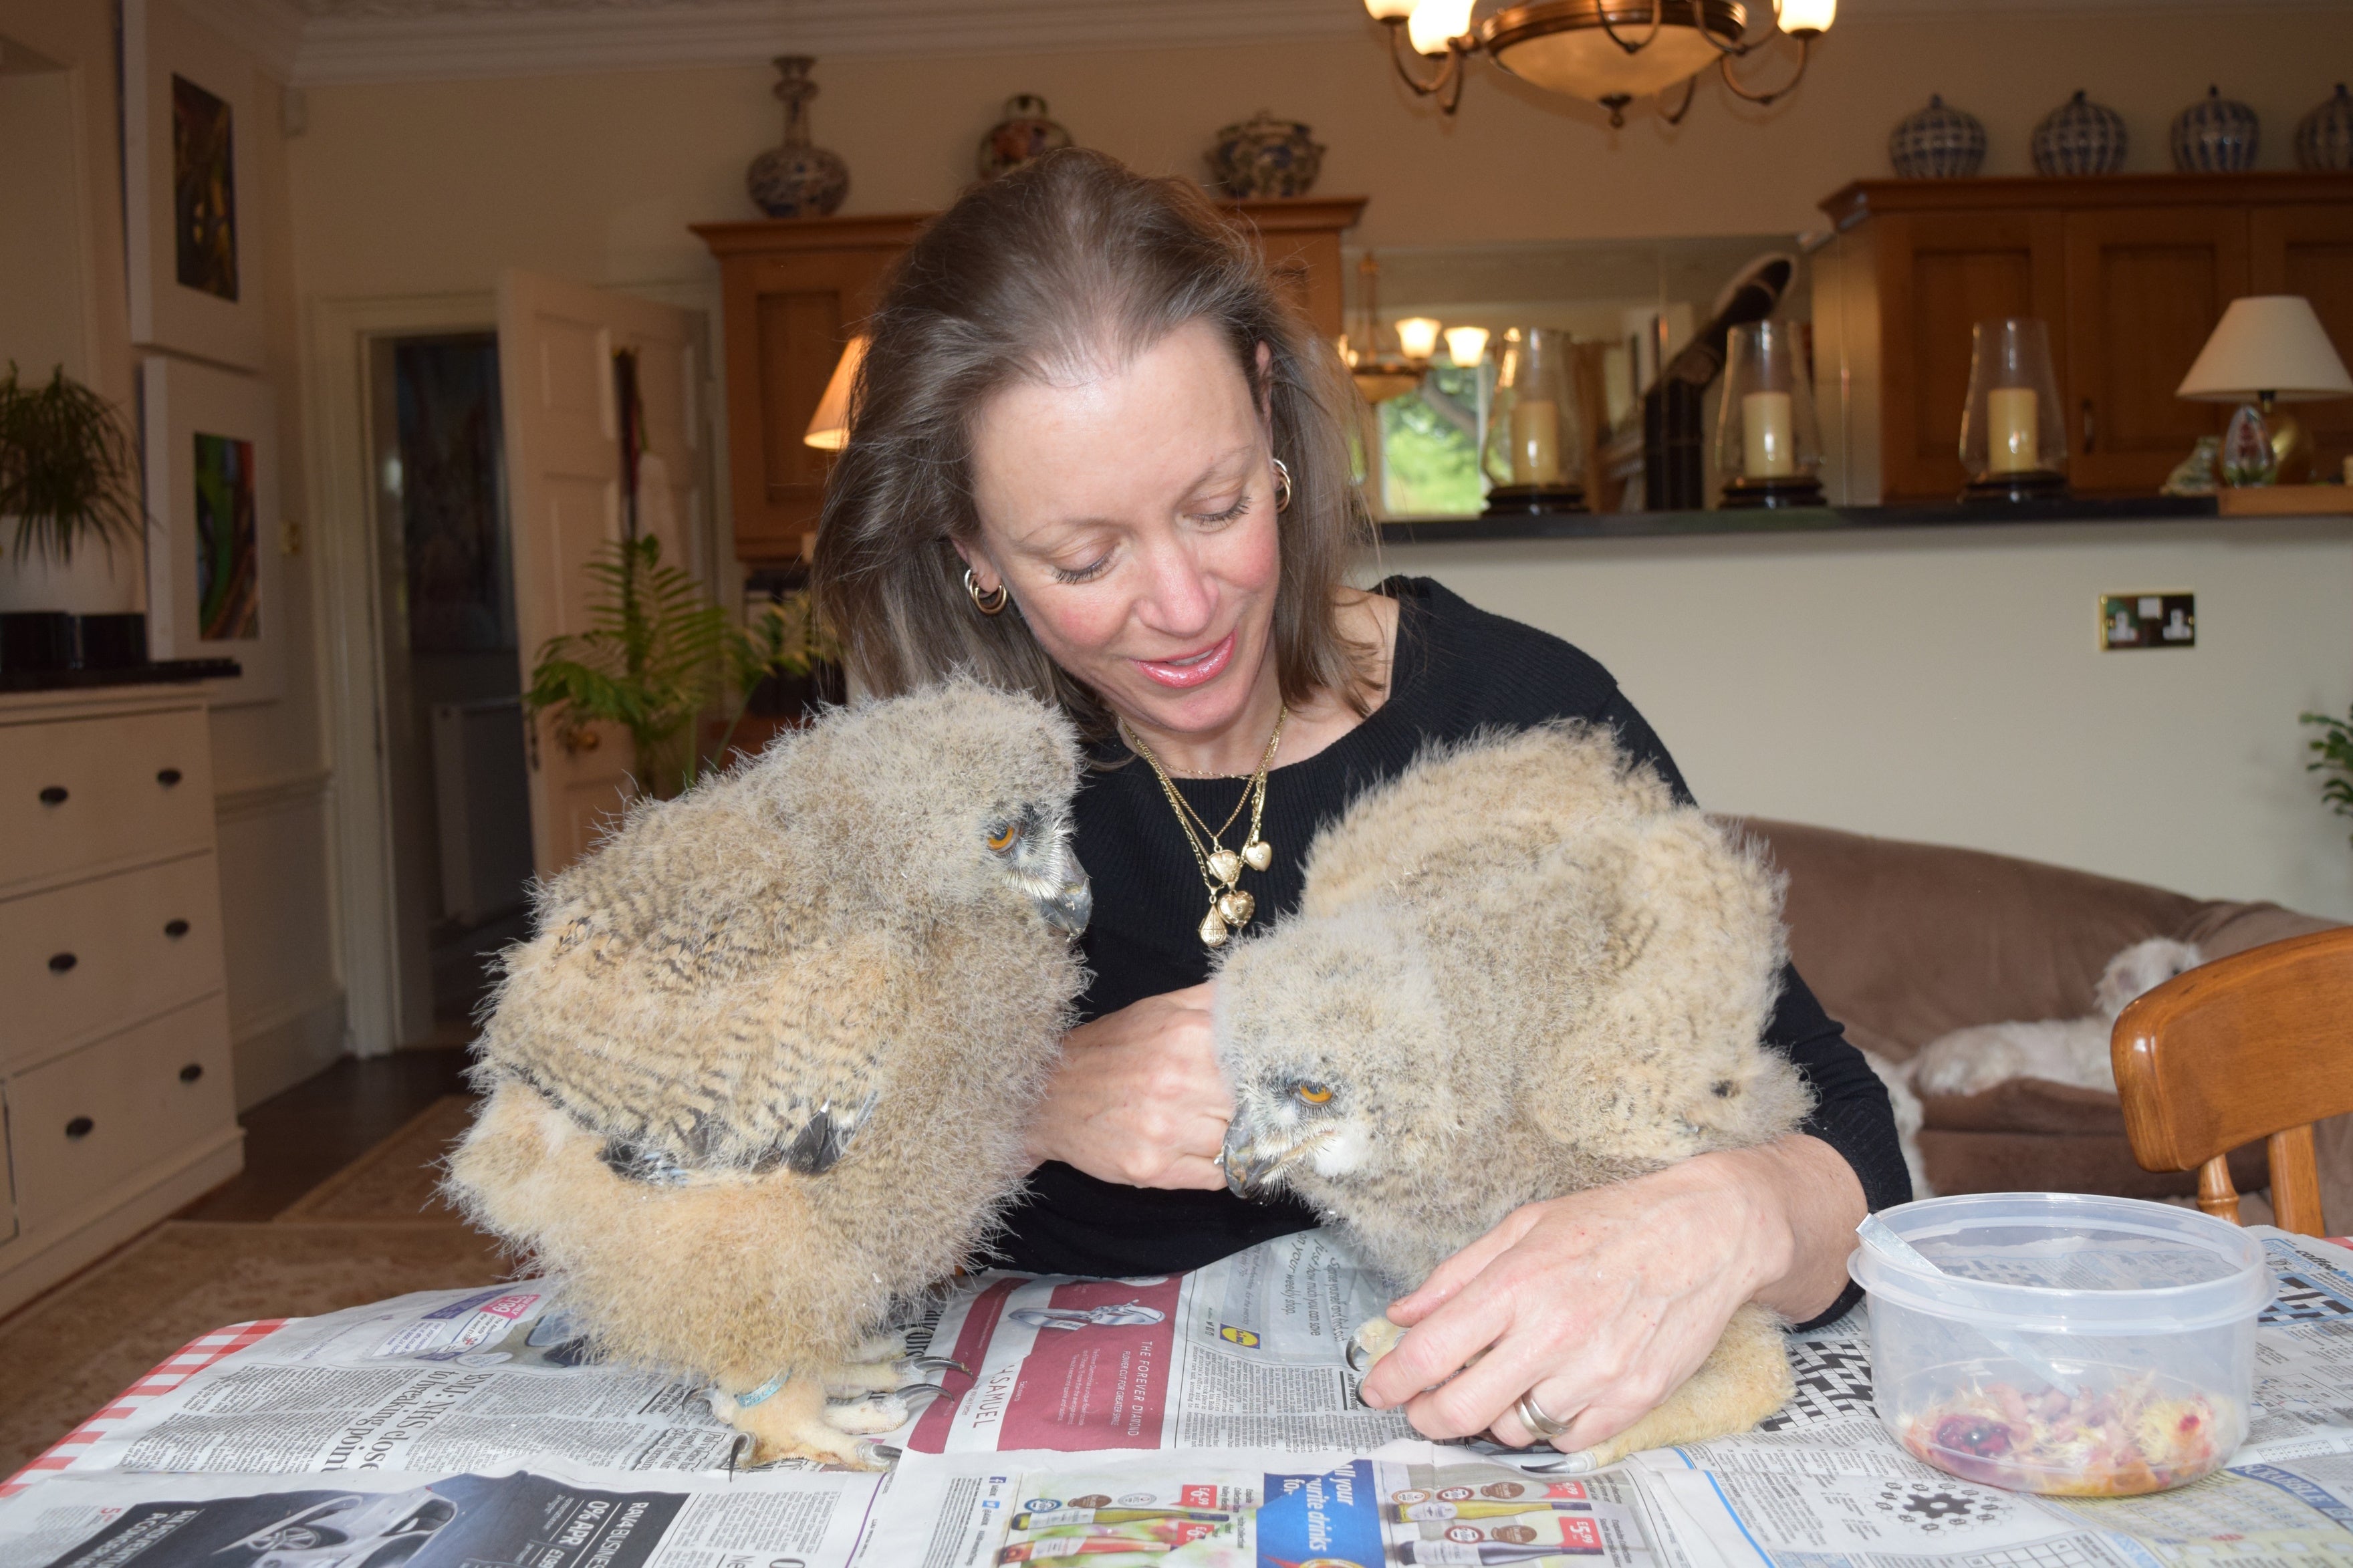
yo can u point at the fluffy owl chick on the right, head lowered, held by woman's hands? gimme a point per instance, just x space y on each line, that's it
1521 969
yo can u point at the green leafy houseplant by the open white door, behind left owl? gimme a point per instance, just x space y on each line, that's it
658 656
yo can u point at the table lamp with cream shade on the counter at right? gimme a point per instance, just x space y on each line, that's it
2267 350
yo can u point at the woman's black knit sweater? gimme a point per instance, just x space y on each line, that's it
1458 670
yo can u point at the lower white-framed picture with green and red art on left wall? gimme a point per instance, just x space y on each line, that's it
215 576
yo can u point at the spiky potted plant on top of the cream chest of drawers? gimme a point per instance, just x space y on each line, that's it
69 479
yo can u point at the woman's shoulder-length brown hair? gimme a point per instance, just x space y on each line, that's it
1067 265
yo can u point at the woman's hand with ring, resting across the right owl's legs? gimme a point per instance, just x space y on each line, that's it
1606 1301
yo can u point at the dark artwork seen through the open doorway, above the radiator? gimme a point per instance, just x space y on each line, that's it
453 514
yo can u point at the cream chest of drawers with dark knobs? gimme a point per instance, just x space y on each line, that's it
114 1023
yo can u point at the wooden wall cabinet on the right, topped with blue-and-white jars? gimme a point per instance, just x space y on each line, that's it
2128 272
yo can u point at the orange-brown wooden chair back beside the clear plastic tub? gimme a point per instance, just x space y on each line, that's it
2251 1047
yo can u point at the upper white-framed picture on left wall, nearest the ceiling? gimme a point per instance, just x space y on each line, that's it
189 187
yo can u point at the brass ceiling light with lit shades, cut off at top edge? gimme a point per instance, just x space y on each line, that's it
1604 51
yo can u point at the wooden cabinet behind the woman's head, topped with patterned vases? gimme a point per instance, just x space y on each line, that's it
794 293
